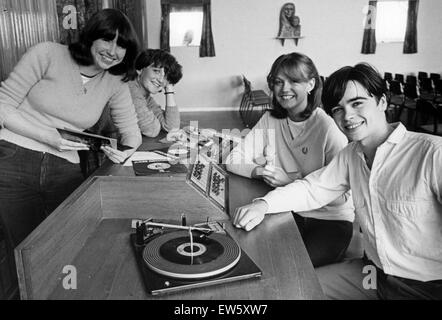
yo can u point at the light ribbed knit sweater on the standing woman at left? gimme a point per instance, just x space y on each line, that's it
46 88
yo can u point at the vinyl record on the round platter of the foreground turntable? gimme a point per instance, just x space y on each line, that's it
170 254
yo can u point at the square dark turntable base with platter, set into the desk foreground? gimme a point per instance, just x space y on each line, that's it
167 277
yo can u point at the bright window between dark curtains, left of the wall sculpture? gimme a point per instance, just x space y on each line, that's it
185 27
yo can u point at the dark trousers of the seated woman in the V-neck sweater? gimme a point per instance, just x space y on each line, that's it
326 241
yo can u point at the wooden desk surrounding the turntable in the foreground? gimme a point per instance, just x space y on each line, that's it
90 231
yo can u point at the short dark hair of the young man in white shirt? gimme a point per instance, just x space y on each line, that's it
336 84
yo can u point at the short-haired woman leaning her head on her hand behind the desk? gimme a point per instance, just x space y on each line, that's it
157 70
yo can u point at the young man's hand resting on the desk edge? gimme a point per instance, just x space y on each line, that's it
249 216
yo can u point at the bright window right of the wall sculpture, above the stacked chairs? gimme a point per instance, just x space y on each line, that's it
391 21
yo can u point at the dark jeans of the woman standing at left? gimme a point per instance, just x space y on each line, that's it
32 185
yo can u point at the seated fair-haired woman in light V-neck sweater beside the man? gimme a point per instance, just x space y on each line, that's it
292 140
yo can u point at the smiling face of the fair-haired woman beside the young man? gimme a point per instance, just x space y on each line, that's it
292 95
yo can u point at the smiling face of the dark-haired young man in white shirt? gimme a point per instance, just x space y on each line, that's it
358 114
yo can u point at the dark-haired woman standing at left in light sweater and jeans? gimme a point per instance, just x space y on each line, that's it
56 86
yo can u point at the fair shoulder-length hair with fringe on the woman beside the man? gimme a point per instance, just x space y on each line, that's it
299 68
